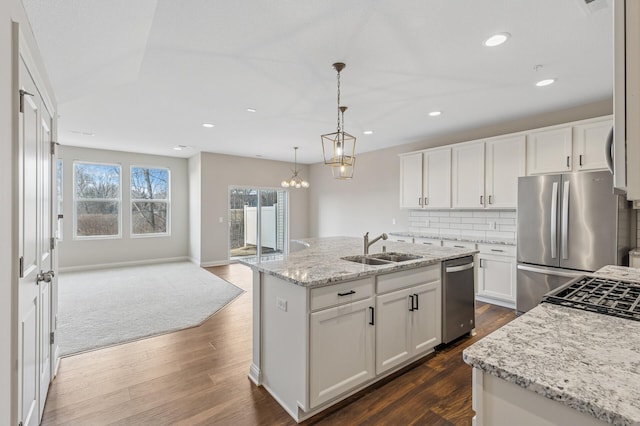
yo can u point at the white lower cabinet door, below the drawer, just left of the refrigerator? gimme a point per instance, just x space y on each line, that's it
497 277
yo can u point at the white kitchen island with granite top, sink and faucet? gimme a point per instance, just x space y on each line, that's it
325 328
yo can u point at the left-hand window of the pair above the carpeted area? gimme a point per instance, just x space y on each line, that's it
97 200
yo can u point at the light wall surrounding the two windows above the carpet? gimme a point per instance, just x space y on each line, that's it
81 254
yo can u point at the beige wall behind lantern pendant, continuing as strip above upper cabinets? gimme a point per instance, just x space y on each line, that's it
369 202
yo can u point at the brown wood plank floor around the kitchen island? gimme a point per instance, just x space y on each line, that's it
199 377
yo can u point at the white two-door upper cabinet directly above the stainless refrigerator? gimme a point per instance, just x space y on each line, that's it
569 148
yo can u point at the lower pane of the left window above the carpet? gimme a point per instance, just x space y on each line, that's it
96 218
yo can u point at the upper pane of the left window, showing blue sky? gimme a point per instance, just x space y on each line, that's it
97 180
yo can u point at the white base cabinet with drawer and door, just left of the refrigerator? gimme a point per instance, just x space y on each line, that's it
497 274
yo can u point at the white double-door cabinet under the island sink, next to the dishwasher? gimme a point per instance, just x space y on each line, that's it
408 320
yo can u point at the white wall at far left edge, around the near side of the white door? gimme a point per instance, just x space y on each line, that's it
10 11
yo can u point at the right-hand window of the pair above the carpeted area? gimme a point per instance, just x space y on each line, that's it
149 201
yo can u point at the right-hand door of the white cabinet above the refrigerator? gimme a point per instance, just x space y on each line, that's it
589 141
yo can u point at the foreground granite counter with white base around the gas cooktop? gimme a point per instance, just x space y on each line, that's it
557 365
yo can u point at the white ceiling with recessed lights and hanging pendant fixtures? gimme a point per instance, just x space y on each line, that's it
145 75
